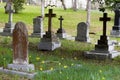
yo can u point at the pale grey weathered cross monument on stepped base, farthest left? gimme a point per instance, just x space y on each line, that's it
9 26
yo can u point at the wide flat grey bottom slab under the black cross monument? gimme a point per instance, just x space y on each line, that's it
101 55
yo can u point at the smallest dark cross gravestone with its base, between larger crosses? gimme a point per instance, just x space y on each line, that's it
61 32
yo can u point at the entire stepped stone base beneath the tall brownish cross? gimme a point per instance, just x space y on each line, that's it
49 42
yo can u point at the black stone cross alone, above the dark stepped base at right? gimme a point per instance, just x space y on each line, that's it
104 19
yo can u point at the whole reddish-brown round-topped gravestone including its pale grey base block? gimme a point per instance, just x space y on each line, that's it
20 49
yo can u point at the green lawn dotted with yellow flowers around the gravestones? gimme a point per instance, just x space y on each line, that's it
67 62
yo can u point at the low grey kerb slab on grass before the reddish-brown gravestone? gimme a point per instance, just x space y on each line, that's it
21 74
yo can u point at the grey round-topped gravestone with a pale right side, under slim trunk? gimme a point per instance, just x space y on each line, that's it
82 32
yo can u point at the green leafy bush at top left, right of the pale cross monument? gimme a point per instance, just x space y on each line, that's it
18 5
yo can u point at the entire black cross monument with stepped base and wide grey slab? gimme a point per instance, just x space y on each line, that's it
104 49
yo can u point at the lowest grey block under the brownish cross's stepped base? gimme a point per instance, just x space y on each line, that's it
50 46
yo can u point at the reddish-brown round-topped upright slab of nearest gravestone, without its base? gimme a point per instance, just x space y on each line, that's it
20 44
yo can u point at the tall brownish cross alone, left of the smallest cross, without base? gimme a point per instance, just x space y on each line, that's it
50 15
